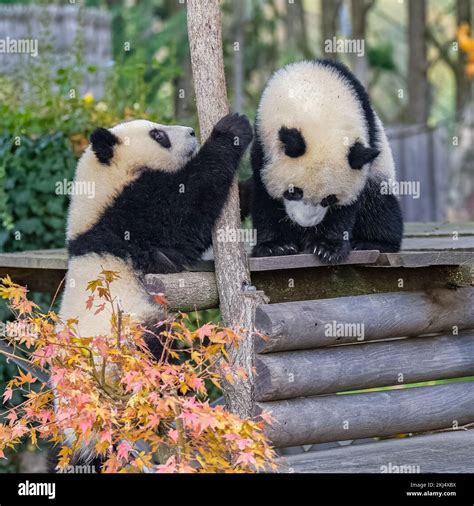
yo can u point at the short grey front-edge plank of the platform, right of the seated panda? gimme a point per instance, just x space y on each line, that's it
425 258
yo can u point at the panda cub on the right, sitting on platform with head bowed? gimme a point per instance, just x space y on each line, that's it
319 157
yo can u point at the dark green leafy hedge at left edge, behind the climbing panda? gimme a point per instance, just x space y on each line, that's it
35 216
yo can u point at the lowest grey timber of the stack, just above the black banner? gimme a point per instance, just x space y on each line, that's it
443 452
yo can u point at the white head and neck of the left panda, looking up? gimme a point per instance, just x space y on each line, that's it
117 156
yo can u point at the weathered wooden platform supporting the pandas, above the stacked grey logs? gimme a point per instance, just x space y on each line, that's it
437 256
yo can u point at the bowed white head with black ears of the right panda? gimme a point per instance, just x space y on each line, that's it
314 139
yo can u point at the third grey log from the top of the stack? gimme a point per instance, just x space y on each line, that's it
327 418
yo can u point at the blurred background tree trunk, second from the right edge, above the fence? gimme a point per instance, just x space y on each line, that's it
418 87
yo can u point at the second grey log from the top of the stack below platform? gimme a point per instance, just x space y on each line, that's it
292 374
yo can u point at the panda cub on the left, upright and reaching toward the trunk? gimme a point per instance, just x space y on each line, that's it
156 199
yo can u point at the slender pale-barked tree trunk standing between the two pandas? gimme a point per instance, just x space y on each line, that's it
232 272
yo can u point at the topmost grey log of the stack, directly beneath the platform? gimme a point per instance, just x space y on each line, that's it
311 324
